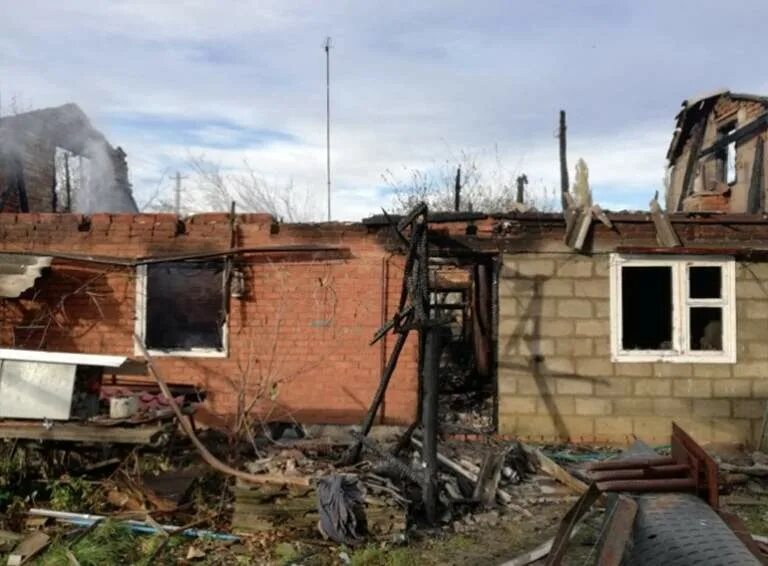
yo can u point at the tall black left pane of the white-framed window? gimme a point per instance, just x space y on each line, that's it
646 308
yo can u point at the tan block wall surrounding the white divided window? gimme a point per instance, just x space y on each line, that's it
557 381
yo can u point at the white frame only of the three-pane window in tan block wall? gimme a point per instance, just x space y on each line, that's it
681 304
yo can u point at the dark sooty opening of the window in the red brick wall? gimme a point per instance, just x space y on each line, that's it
185 305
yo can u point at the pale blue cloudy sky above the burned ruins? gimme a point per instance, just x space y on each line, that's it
411 85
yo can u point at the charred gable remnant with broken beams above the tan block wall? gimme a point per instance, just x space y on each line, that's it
717 156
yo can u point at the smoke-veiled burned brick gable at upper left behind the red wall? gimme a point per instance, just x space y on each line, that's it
53 160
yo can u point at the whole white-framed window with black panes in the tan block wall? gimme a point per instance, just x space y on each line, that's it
676 309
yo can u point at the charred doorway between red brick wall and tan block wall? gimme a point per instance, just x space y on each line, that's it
464 291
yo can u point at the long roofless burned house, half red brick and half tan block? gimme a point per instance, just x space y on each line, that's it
555 327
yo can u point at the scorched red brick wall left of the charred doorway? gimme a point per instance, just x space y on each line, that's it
304 323
